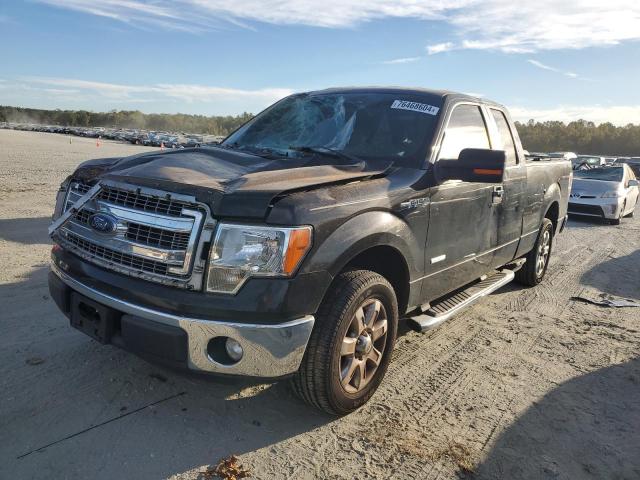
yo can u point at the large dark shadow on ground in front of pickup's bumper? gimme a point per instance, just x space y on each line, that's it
154 422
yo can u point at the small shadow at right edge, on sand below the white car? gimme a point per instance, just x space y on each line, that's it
615 276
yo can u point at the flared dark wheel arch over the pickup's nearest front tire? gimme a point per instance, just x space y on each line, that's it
359 233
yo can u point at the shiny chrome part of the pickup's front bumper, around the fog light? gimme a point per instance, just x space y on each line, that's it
269 350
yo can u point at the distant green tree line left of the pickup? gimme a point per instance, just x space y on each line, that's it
178 122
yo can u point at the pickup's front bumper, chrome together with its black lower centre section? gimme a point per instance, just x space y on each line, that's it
270 350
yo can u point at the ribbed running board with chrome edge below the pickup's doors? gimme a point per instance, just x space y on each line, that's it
452 304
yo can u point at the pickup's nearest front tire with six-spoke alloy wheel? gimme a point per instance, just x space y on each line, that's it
351 344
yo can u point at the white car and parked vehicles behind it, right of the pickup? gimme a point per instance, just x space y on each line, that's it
603 187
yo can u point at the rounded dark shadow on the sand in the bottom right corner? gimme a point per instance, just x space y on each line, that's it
584 428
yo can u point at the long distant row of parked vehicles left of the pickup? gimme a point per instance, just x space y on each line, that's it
130 135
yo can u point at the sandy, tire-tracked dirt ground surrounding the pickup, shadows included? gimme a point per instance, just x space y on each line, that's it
525 385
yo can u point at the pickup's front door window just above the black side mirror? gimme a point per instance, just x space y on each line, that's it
466 129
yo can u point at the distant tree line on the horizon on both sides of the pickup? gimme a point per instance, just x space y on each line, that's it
580 136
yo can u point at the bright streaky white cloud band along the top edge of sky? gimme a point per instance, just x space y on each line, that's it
513 26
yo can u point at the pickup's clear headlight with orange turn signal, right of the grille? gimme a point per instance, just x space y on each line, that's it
243 251
